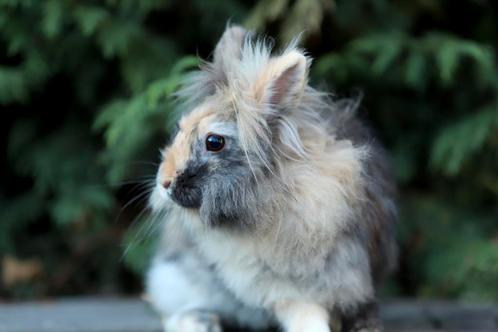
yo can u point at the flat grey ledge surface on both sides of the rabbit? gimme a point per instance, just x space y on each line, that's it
133 315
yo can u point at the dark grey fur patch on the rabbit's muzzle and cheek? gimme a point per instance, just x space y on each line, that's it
222 185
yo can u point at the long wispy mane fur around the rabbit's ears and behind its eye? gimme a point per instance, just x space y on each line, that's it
267 134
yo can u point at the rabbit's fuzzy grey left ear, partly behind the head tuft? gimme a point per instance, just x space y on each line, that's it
229 47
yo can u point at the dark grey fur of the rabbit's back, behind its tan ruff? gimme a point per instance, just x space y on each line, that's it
376 215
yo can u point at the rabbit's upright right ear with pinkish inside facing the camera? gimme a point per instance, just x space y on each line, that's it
283 83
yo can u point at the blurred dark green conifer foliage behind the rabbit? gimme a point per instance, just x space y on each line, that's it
85 91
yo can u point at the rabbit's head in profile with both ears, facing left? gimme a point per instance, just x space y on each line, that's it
224 160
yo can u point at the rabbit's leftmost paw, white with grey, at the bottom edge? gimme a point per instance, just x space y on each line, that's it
193 321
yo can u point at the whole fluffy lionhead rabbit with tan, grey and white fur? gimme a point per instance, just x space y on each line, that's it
277 203
